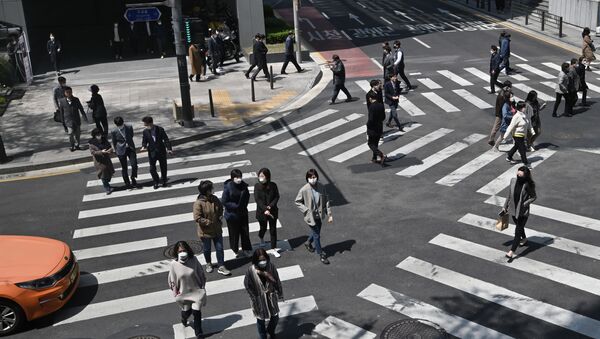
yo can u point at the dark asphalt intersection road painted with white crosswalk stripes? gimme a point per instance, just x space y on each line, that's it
413 239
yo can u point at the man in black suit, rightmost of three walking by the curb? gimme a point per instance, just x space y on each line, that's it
156 141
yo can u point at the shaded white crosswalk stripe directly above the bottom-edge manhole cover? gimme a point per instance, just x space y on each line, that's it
413 308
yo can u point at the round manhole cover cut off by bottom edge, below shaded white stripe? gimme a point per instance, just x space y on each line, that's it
413 329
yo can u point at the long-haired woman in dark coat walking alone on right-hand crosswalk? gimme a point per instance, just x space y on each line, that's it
520 197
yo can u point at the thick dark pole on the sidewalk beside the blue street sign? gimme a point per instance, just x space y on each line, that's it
184 85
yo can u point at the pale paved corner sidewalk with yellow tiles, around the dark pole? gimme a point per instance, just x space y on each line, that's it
134 89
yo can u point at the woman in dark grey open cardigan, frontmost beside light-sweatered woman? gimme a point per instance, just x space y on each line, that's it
264 288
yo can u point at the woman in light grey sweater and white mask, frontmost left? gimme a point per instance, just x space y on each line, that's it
187 281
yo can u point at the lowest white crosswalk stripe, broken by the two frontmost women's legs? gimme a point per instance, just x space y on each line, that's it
242 318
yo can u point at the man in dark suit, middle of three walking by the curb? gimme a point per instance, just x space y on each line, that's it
122 140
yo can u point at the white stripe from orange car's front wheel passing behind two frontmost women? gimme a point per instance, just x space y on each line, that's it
142 301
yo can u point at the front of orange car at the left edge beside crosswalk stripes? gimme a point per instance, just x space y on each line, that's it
37 277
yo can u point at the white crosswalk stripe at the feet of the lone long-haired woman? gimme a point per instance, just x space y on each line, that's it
524 264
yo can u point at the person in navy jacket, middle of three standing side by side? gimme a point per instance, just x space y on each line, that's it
235 200
